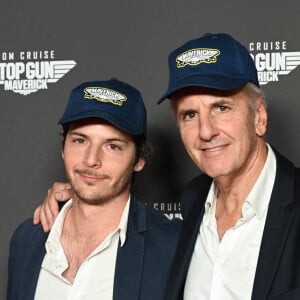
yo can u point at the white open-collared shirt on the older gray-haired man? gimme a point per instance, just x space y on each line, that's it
225 270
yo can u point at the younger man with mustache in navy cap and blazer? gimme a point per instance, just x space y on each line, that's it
104 244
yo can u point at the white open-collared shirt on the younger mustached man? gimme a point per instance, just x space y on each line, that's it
95 276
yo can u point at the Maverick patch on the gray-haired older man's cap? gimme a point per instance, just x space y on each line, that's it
197 56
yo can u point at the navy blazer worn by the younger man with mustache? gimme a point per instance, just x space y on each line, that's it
142 265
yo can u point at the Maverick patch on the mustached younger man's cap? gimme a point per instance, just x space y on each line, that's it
104 95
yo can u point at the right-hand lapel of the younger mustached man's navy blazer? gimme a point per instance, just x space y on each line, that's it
129 264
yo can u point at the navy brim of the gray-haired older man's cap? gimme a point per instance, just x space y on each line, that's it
218 82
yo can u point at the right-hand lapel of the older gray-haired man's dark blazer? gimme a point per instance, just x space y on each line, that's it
278 223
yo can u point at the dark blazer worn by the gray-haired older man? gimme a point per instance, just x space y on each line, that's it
278 269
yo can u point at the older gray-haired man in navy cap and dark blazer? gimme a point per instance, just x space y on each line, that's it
241 229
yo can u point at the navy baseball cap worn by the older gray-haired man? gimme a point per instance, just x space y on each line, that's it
215 61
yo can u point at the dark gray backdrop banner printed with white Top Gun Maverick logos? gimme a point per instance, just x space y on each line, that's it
47 48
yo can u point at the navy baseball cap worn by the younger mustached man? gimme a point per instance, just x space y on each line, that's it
112 100
